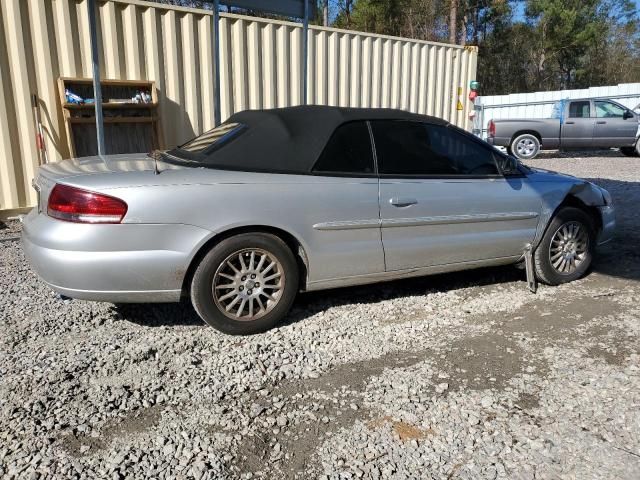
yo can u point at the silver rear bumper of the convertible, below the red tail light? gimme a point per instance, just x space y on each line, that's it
112 263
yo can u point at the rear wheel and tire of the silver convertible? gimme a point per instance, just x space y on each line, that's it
234 271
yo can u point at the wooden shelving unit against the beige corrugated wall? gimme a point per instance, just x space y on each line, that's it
129 126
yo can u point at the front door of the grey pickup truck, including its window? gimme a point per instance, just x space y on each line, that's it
612 128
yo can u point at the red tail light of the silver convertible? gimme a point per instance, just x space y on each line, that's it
81 206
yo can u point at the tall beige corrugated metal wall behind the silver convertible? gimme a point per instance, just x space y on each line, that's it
41 40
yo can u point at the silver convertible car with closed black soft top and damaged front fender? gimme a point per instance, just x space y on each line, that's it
273 202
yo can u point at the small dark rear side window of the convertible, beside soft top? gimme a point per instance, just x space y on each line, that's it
348 151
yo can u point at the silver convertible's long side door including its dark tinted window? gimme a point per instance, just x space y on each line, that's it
443 199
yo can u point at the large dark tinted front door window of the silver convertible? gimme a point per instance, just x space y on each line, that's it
413 148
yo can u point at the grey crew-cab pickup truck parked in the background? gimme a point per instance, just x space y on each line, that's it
575 124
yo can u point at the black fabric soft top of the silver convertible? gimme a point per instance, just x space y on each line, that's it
287 140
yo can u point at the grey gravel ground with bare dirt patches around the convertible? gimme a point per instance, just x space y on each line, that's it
453 376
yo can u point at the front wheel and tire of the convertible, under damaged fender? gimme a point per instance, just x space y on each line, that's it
551 264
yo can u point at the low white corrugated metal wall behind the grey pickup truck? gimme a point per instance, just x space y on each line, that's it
540 104
